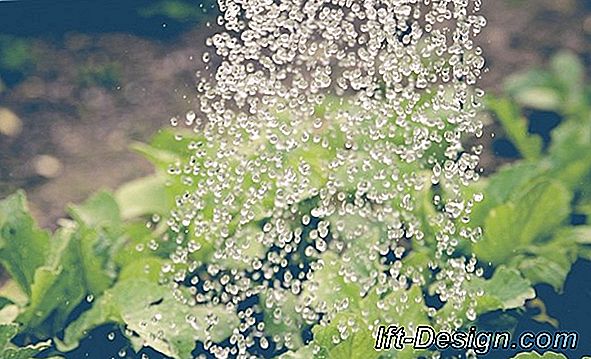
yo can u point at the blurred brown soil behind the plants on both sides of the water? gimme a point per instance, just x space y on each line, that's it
75 132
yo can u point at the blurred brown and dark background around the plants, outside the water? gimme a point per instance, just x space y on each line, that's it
80 80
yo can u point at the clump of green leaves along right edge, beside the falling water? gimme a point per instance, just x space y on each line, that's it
529 203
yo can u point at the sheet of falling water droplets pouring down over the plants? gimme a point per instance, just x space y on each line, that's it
329 166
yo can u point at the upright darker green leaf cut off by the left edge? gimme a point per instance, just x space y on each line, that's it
23 246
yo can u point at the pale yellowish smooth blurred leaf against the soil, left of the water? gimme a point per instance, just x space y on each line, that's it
144 196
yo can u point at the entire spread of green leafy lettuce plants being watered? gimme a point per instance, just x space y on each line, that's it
118 254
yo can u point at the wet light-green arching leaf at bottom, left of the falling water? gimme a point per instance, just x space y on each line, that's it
154 317
